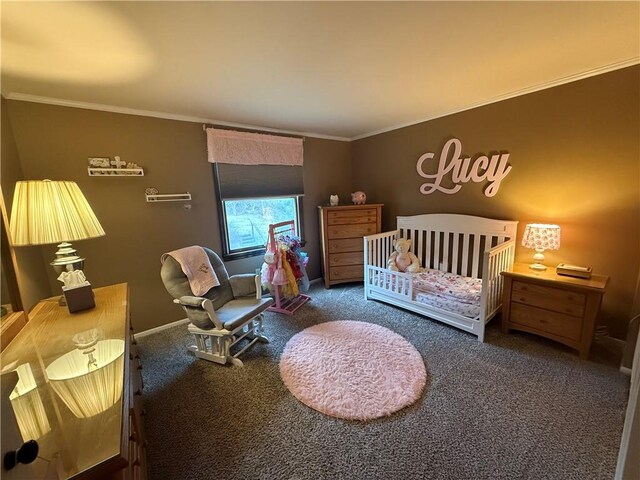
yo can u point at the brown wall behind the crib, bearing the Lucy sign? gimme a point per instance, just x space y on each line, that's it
575 153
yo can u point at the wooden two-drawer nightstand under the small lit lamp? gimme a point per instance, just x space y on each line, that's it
558 307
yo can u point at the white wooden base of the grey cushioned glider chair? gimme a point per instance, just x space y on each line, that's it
215 345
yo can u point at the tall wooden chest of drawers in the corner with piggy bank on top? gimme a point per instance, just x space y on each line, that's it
341 229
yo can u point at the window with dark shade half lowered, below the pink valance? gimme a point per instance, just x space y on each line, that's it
250 198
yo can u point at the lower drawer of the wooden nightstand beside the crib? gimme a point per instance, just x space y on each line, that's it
566 326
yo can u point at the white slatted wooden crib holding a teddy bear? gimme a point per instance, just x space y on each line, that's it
465 245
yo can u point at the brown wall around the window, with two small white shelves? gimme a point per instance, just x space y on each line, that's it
54 142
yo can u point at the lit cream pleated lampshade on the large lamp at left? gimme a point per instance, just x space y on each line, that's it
46 211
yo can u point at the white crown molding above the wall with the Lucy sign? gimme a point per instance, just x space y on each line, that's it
516 93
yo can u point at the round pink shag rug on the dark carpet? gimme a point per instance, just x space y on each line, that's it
352 370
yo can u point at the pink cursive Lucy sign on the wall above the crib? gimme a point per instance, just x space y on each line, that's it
492 170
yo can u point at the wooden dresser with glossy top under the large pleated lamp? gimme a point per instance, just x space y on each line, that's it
79 393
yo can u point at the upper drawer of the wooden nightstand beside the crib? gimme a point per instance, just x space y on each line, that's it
557 300
